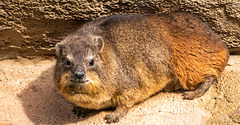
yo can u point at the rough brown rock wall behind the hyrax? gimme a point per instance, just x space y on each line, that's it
33 27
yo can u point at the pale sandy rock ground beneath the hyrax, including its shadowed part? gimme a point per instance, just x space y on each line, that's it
28 96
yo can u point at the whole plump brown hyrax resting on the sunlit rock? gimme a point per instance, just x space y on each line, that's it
121 60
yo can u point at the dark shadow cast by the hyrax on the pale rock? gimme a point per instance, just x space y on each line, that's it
44 105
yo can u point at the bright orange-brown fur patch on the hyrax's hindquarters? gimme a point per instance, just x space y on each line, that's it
194 59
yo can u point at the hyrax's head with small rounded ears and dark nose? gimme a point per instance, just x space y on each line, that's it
78 61
